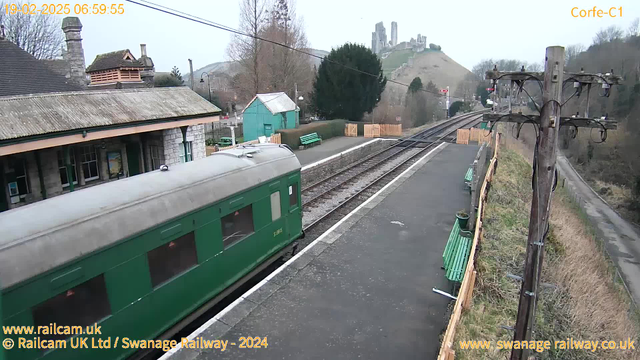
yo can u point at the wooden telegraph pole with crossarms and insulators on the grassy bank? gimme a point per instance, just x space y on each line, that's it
549 122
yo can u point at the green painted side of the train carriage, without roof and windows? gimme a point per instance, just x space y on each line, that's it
140 312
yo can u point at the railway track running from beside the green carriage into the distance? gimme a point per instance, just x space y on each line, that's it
367 176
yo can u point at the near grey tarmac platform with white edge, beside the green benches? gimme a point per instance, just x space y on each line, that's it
363 289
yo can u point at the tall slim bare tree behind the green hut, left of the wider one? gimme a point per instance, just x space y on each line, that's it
245 49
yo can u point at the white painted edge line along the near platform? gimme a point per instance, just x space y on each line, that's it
257 286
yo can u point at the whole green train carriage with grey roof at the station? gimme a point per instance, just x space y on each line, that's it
138 255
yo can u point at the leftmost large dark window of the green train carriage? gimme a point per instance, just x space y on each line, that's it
82 305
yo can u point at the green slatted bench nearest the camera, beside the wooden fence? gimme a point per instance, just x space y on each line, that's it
456 253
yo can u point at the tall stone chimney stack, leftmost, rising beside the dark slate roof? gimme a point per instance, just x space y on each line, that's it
74 56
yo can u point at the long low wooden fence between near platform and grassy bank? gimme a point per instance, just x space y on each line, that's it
466 288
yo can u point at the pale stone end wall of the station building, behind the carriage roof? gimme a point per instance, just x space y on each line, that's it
173 143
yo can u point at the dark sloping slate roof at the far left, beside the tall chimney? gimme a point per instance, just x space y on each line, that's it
21 73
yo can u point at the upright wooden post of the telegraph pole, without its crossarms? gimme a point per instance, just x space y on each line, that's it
545 168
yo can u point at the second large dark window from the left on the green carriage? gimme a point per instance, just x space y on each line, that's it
172 258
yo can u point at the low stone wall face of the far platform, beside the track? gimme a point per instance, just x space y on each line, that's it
326 169
